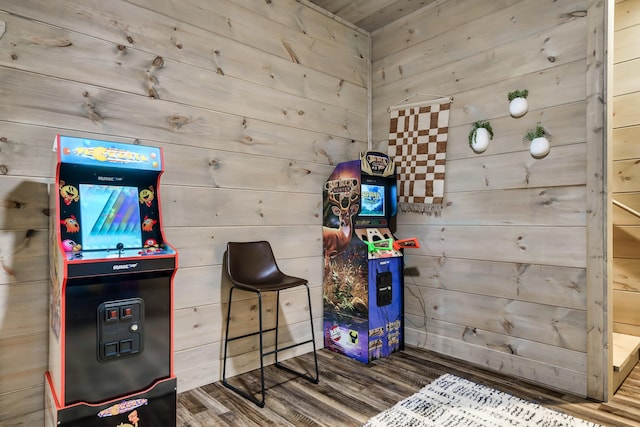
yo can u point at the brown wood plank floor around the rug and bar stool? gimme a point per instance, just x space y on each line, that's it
350 393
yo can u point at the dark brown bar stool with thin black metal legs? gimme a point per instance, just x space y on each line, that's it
251 267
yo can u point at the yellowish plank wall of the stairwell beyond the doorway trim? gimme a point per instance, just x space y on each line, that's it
625 169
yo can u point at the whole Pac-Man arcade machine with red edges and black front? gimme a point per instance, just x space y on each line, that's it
111 312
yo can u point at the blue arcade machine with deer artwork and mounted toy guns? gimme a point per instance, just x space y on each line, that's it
363 264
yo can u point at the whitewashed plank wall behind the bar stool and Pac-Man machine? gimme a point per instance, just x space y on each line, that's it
253 103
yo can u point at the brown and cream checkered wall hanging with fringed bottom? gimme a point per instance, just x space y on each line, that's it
417 143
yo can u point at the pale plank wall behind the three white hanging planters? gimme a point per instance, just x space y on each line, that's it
501 278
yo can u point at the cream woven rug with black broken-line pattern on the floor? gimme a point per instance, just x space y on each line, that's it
454 401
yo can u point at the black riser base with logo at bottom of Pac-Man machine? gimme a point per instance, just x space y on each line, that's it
154 407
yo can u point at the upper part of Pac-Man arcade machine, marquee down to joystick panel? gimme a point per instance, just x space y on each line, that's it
108 199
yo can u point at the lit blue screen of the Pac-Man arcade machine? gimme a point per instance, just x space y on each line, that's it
111 216
